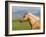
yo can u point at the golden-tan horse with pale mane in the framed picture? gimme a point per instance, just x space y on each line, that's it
33 20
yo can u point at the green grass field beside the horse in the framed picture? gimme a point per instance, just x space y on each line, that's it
17 25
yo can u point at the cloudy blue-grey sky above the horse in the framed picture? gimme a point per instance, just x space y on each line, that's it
19 11
